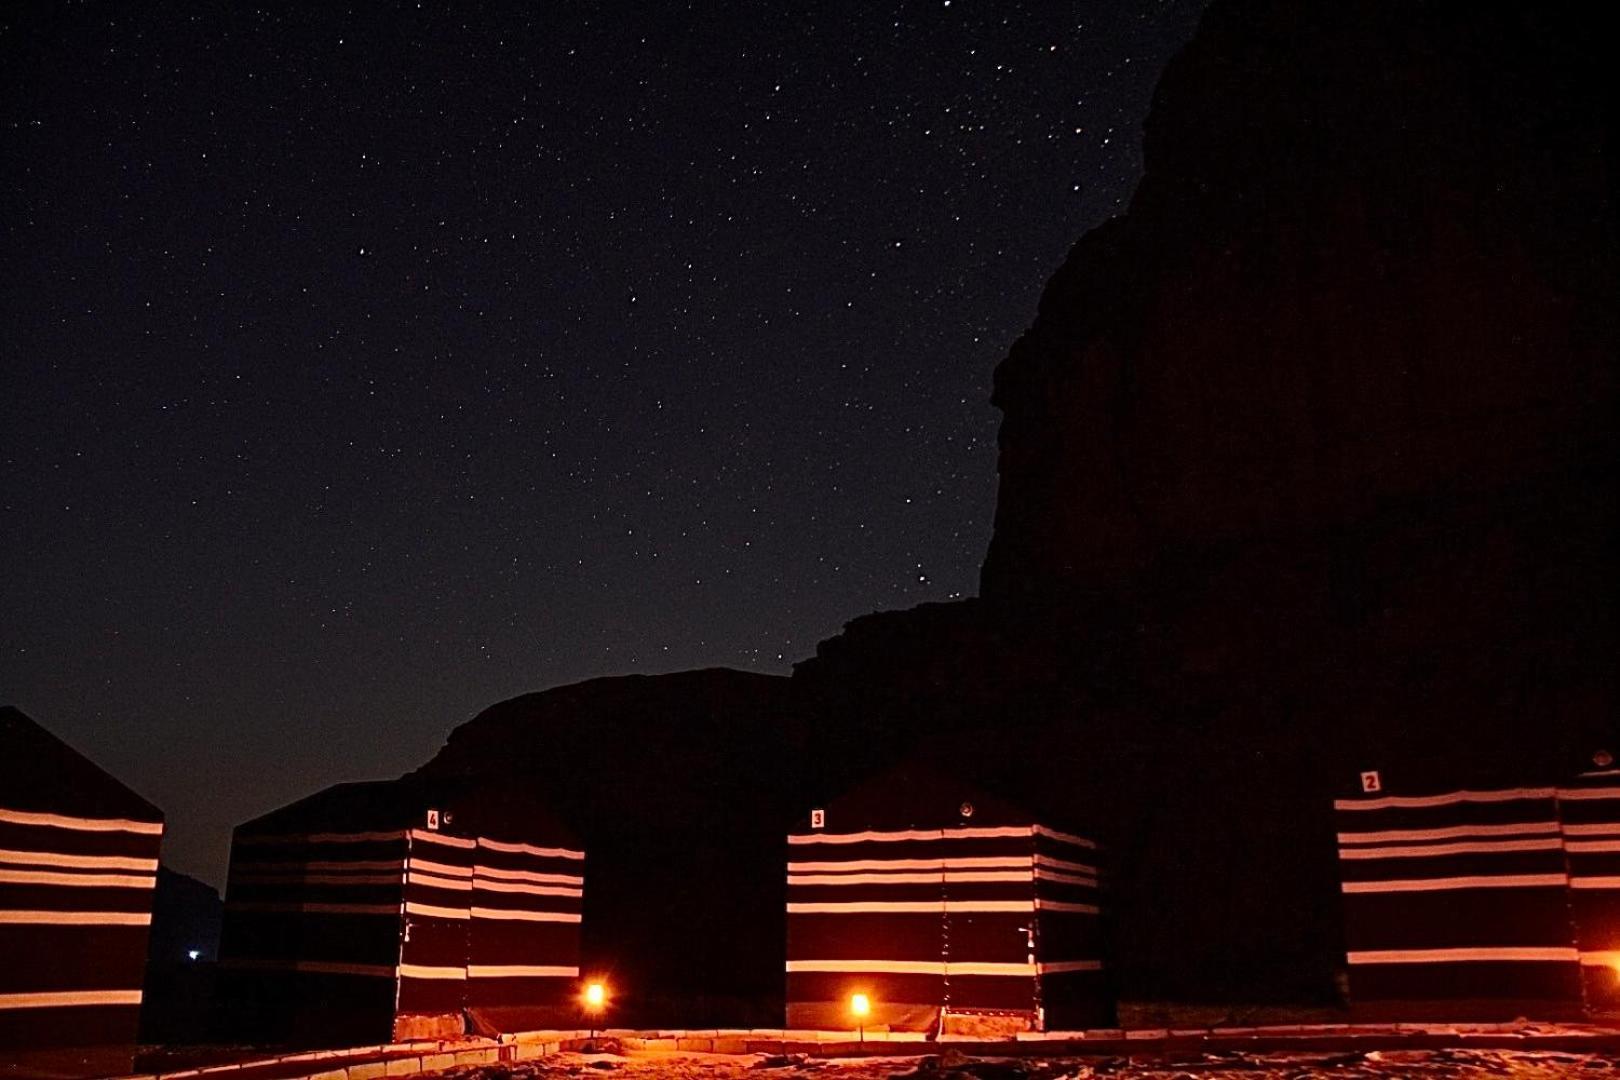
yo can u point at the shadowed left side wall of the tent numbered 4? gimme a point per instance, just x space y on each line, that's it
312 938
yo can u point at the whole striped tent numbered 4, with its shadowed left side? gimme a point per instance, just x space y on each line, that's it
403 909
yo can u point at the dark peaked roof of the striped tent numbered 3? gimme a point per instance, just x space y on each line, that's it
918 796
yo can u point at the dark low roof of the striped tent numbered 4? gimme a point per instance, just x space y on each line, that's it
503 810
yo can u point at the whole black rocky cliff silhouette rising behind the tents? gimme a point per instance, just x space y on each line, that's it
1307 467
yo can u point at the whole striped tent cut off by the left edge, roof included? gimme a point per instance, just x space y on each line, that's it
79 862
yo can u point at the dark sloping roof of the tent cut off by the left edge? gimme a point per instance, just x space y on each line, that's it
43 775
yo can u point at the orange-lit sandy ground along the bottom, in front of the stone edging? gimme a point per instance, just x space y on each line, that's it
952 1066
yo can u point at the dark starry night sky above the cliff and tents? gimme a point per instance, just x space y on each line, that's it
365 367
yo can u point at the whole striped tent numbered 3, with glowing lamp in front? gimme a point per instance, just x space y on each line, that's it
947 909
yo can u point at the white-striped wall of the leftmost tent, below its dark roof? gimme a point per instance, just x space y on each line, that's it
75 914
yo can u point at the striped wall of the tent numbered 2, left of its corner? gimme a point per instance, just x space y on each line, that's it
1457 906
